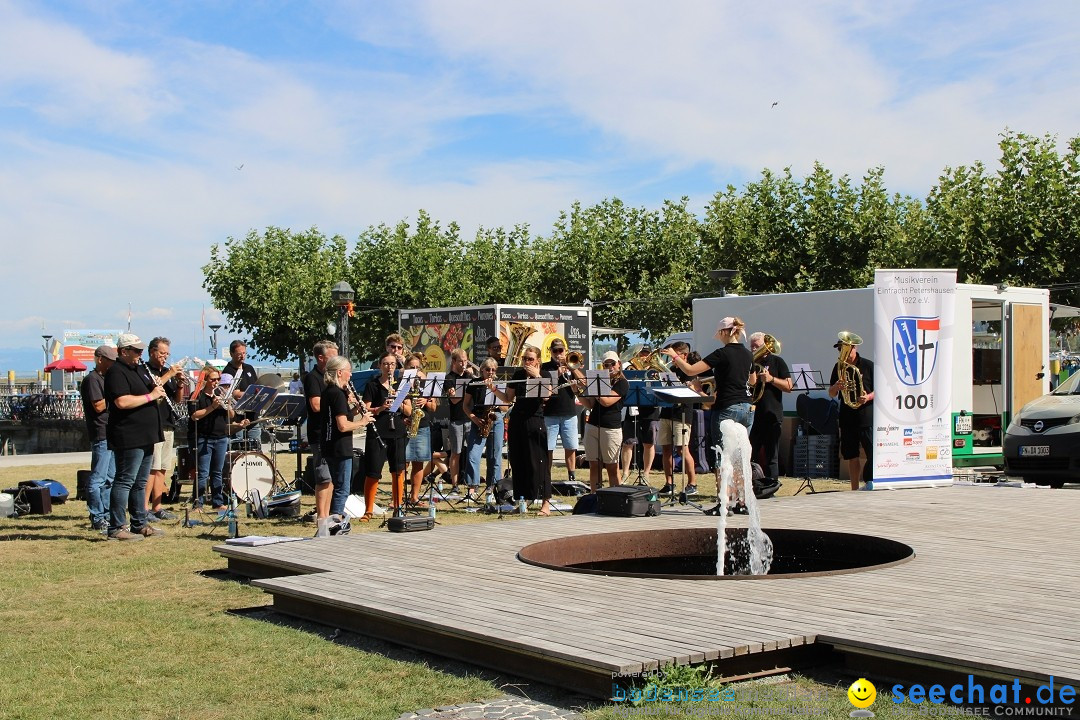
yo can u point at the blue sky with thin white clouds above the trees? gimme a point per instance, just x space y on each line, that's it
136 135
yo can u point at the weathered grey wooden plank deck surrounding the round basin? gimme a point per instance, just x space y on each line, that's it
994 591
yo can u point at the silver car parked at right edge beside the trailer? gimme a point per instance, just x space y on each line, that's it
1043 442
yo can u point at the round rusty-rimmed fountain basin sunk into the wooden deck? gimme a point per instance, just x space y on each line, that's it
691 554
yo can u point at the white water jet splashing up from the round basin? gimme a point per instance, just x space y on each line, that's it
752 555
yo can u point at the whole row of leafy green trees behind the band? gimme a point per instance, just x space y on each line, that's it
640 267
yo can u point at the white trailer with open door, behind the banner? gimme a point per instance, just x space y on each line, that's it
997 369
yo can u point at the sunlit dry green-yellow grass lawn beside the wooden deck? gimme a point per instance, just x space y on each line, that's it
94 629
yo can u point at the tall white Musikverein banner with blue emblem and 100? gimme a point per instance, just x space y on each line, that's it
914 336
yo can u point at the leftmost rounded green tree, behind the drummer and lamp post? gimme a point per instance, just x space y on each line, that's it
276 288
